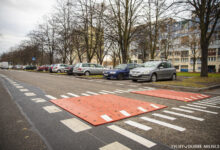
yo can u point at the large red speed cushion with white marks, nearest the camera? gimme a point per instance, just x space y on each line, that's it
101 109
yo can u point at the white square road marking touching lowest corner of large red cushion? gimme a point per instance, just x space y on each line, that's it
75 125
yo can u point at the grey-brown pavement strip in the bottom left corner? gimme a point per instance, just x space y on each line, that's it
15 131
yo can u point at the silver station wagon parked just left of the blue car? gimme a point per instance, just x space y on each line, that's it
88 69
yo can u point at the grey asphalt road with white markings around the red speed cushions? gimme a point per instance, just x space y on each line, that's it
57 135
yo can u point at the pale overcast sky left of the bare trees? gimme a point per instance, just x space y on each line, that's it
18 17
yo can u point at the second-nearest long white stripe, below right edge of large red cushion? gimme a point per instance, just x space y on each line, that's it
164 124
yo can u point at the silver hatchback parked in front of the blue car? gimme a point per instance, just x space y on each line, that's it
153 71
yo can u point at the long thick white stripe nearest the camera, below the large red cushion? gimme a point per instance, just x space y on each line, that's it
132 136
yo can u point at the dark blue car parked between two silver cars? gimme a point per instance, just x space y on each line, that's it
120 72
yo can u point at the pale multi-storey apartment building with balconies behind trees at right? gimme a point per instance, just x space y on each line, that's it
184 47
